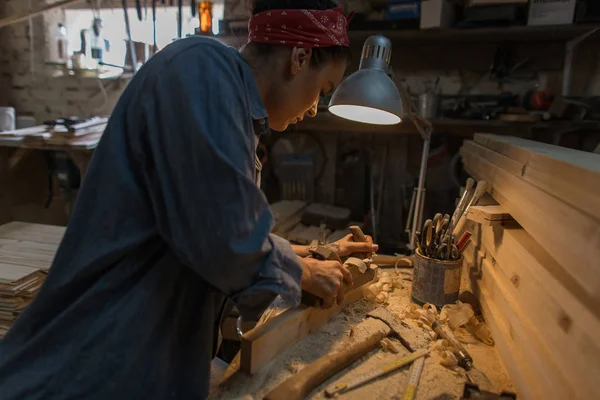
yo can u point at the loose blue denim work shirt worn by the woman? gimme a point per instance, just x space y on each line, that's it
168 224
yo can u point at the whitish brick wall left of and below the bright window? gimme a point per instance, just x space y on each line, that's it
29 86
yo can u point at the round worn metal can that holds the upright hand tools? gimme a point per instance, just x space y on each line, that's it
434 281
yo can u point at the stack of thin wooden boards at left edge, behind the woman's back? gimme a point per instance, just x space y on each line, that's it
26 253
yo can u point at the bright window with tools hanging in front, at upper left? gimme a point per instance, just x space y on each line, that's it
114 31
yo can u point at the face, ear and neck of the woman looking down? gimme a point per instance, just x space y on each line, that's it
302 85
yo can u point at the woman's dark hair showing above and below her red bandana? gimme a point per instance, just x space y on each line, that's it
321 55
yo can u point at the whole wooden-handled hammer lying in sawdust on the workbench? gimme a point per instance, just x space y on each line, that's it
387 324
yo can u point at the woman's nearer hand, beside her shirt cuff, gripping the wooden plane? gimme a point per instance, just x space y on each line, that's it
325 279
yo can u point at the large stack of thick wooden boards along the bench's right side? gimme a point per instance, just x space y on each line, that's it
538 281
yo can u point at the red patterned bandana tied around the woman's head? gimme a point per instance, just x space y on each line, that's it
300 28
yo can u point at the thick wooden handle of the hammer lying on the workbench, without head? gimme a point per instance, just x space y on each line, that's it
299 386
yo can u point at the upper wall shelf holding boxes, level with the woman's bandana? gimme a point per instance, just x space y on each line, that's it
552 33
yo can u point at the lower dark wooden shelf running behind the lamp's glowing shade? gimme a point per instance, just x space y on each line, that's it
326 122
